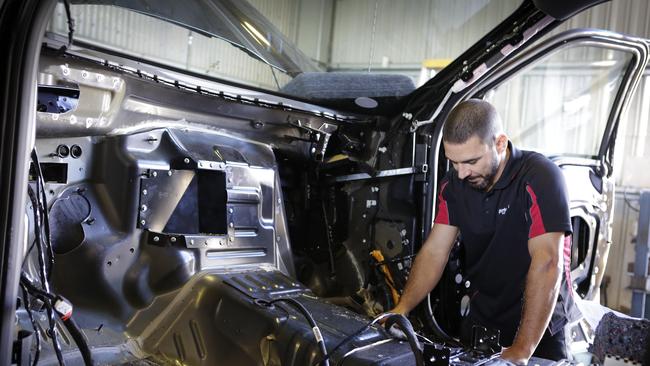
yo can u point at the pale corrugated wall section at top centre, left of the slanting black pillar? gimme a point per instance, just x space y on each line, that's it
407 32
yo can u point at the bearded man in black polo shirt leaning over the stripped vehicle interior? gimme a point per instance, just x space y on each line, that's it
511 209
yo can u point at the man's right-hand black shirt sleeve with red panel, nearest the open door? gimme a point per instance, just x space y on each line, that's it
548 202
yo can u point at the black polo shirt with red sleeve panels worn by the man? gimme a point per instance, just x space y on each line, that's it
529 199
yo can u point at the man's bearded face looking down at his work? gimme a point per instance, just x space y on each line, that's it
475 161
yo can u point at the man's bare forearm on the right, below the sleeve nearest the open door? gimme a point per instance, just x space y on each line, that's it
540 296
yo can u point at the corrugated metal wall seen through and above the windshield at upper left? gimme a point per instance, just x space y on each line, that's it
141 35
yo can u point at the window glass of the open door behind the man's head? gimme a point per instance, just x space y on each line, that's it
560 105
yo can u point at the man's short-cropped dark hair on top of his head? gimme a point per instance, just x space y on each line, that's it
473 117
